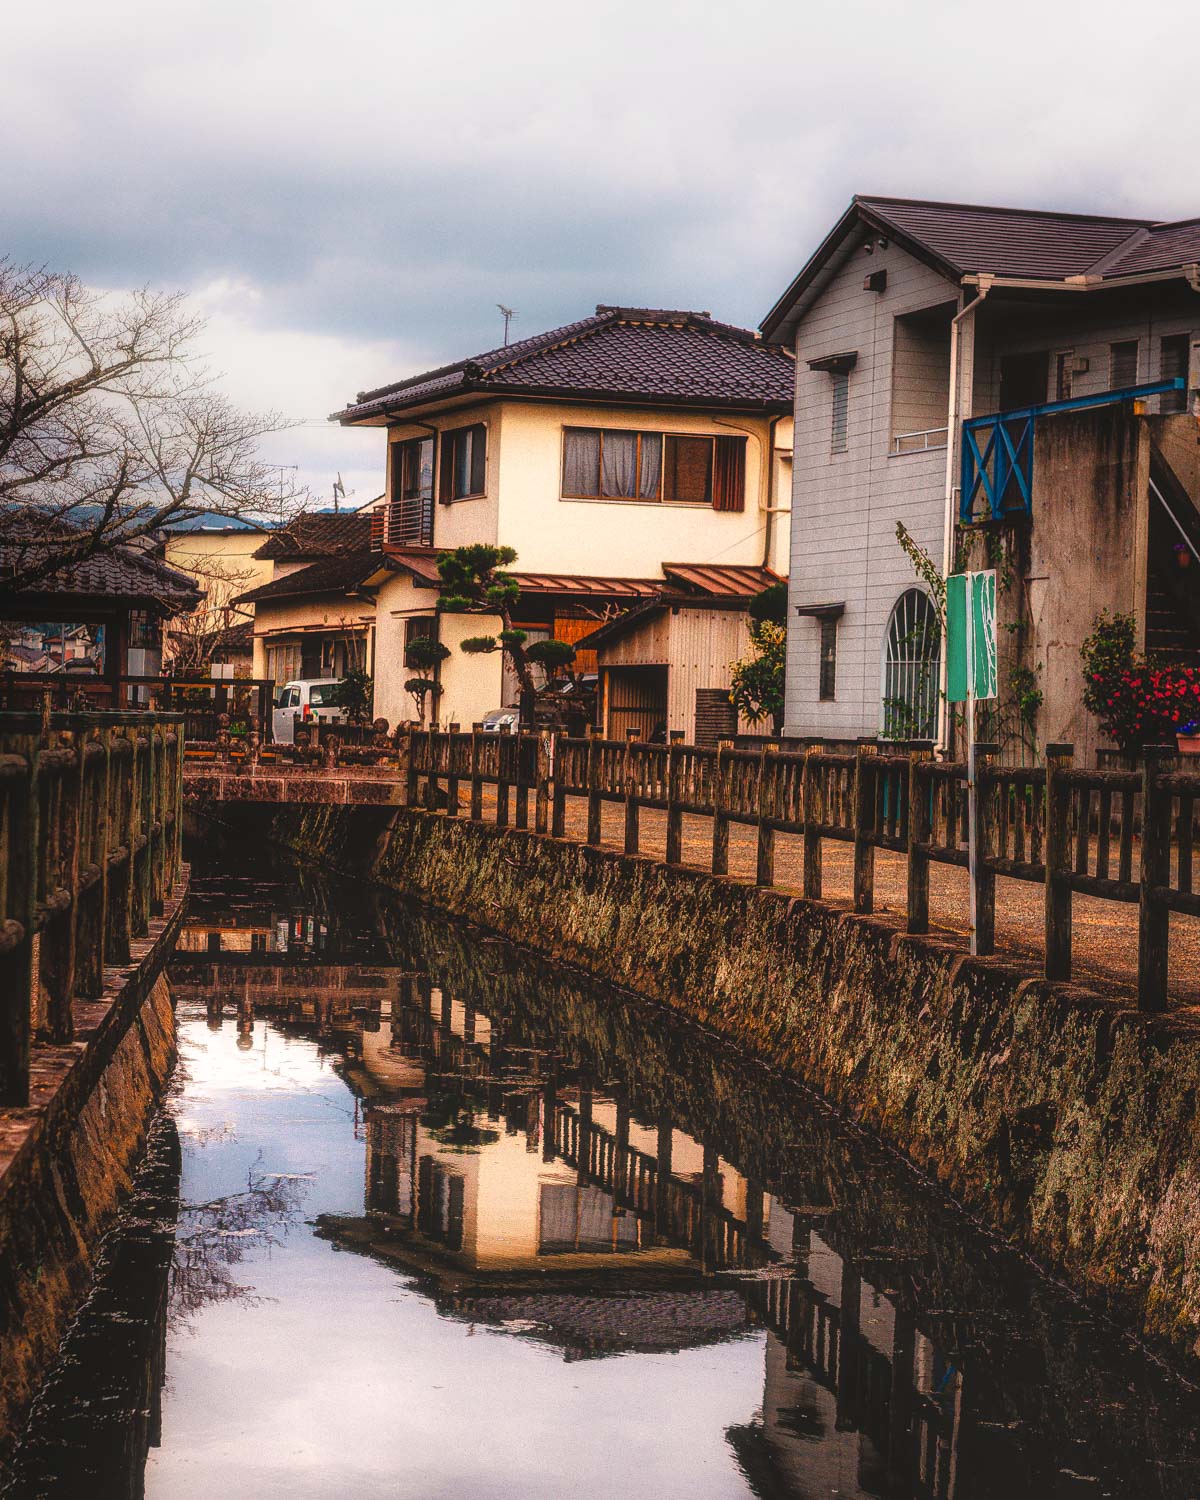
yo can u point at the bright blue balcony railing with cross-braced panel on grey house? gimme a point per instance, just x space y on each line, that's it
998 454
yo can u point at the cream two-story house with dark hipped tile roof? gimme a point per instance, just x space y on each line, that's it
617 455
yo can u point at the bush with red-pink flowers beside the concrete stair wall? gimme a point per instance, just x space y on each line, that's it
1139 704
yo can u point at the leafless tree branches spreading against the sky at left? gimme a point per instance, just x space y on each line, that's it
112 428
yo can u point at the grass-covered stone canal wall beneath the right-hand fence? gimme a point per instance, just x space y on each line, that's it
1064 1120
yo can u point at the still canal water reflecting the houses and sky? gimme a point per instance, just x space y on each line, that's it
425 1219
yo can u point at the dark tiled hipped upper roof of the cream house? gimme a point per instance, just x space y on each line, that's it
644 355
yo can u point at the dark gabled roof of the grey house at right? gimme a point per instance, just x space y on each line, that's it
971 239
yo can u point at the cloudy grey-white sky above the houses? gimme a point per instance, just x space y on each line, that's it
349 191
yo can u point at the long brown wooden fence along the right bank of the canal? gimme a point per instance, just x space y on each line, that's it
1126 836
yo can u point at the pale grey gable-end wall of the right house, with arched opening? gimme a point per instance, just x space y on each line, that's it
845 506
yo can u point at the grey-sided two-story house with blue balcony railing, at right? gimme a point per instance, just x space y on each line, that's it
1016 389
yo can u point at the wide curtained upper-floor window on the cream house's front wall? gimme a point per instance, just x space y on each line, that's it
619 464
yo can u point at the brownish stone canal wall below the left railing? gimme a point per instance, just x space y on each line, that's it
68 1160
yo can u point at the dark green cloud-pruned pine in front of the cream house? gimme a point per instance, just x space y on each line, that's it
475 583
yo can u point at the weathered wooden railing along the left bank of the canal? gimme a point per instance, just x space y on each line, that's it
89 853
